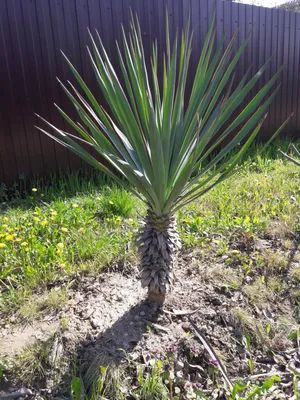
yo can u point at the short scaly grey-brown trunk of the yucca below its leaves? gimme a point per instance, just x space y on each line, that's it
158 243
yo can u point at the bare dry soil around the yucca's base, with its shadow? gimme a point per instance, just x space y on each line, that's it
109 321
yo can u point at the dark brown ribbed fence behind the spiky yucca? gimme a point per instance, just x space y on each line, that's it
32 32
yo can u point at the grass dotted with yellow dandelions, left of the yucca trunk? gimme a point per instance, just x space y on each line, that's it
55 240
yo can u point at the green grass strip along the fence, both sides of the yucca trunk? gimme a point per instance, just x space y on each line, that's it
72 224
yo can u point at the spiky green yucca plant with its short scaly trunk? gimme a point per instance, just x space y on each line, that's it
166 152
